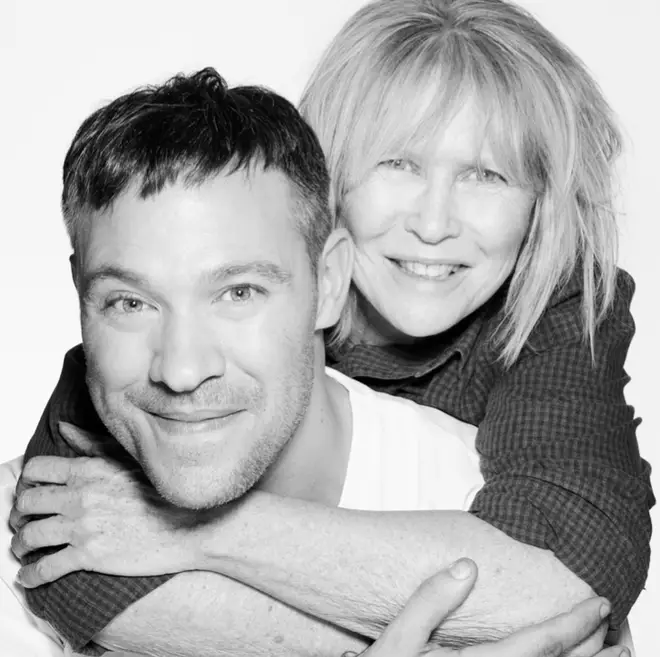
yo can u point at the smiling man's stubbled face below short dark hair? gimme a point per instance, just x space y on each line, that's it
198 314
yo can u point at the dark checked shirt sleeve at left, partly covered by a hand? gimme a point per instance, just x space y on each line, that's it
81 604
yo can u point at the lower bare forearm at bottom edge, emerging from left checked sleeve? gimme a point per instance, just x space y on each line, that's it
201 614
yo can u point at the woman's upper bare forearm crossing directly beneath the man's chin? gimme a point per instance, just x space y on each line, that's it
356 569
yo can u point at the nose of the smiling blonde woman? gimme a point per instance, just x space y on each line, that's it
435 216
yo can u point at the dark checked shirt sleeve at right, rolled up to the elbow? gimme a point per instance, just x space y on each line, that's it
560 456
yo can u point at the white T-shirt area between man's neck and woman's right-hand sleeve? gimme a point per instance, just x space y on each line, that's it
406 457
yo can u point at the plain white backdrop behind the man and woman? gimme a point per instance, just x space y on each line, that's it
59 59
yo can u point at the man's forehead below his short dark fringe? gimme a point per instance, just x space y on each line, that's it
186 228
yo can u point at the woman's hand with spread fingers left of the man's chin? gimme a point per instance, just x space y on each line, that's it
106 513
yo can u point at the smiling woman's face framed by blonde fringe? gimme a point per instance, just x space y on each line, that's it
436 234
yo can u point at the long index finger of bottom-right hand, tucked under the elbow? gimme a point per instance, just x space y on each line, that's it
553 637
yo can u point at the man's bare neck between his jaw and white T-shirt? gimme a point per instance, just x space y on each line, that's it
313 464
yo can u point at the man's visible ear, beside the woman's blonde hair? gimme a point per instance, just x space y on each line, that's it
335 268
